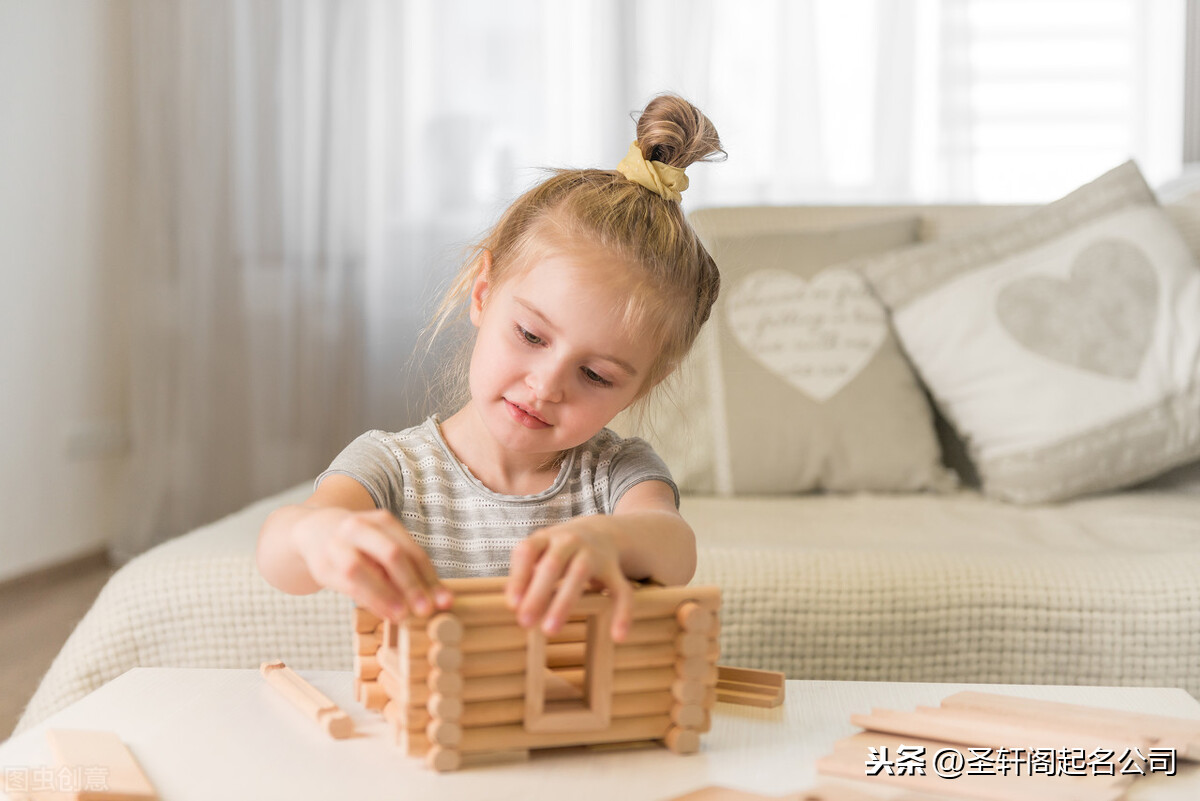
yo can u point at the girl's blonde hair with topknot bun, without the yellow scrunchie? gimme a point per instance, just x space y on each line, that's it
675 279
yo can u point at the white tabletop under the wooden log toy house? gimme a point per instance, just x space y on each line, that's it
227 734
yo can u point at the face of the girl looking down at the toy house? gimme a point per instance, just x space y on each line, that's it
554 362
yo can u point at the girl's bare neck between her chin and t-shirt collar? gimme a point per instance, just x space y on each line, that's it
499 469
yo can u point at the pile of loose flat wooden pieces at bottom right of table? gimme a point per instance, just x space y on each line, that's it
1007 749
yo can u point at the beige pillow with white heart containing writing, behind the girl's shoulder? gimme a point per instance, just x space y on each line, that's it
797 383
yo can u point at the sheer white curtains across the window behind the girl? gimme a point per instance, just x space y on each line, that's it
311 172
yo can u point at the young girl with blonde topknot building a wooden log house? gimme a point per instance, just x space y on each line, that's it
587 294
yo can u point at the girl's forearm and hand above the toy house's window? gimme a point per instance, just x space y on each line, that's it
644 539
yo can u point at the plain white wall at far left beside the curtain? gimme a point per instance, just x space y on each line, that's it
65 160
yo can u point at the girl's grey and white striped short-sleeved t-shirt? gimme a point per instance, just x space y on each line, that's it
466 528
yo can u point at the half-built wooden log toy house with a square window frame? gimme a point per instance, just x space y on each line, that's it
470 685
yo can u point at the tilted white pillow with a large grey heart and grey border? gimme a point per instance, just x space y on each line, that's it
1064 346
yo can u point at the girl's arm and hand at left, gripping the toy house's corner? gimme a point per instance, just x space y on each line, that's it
339 540
